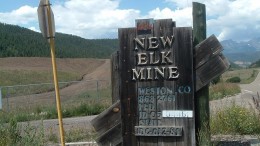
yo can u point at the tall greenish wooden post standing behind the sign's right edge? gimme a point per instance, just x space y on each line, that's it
202 95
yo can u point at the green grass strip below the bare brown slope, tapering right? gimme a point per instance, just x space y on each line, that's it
20 78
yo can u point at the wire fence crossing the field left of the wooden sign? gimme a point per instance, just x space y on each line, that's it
34 96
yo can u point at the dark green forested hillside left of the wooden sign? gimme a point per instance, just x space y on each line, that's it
16 41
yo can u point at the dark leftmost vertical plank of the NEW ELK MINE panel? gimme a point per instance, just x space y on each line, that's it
127 88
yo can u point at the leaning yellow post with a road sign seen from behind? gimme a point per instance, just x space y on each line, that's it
46 22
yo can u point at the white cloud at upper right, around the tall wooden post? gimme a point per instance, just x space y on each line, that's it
230 19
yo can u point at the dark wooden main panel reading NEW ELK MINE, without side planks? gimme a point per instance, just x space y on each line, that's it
156 84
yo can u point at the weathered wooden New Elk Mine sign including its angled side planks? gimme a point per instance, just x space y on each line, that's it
152 75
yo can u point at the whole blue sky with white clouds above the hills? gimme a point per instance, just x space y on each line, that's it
238 20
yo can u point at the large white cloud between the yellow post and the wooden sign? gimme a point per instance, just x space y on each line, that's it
92 19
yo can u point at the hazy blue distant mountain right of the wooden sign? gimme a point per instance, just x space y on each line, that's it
242 53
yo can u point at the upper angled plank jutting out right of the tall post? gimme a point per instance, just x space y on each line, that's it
207 49
